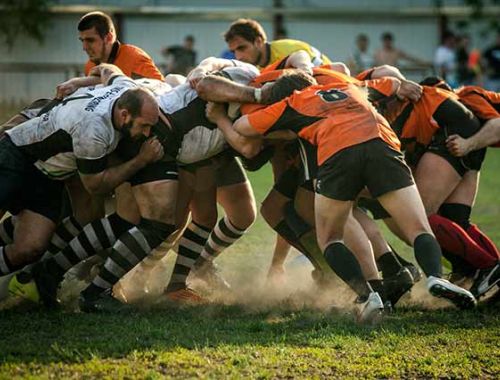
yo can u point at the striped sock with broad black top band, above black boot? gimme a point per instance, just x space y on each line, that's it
128 251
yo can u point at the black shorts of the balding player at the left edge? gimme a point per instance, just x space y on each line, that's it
24 187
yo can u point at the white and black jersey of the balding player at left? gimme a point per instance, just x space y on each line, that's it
76 134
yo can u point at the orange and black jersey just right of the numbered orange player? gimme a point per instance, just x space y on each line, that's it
414 121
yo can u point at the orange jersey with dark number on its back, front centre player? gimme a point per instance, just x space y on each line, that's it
332 117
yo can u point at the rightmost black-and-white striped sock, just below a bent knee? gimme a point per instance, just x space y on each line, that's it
223 235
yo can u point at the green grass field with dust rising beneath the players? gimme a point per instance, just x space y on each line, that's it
253 335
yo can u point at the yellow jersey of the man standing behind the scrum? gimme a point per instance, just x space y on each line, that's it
279 49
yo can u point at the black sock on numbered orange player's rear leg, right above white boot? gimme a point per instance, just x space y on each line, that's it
428 254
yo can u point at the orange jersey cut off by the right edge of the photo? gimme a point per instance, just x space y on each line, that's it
484 104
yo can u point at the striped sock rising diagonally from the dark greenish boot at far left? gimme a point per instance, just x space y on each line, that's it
94 238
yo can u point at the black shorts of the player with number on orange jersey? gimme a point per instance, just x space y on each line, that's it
373 164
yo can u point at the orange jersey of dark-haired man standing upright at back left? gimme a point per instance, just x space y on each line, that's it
133 61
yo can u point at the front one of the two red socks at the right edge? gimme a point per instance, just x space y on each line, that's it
454 239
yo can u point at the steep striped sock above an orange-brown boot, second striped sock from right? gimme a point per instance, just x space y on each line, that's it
191 245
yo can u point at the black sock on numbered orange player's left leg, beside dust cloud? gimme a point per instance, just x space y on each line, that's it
346 266
